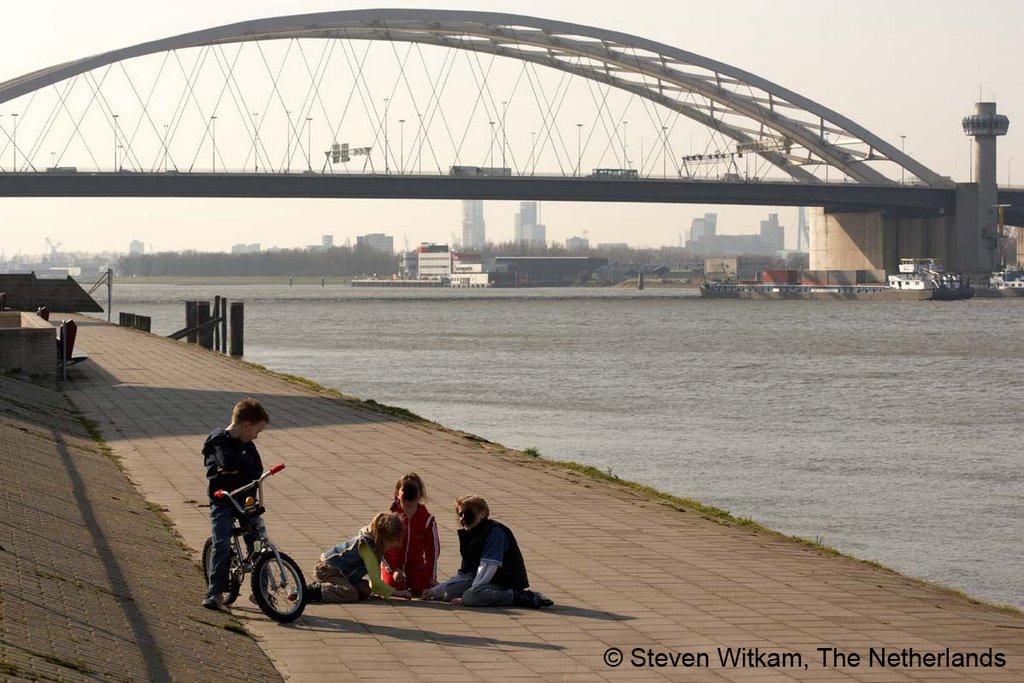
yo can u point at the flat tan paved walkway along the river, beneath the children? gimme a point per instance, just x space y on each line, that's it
624 570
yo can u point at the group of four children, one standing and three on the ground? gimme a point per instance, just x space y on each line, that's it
395 557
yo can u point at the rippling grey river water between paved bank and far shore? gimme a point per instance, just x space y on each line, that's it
889 431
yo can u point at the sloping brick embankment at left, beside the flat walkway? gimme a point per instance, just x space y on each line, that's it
93 585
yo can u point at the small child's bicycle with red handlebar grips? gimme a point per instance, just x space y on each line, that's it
277 582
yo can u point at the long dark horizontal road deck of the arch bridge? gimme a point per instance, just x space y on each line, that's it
842 197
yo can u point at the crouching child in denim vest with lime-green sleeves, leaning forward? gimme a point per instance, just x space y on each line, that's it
351 571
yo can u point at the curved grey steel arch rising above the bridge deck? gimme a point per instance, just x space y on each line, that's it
788 131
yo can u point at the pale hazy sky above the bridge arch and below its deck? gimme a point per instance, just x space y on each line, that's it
912 68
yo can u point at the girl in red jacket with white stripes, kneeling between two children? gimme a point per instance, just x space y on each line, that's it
413 566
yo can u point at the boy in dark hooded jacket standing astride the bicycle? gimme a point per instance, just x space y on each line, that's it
232 461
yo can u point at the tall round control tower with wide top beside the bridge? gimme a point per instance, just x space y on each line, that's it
986 125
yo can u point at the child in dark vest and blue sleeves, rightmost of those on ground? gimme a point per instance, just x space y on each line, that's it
493 572
